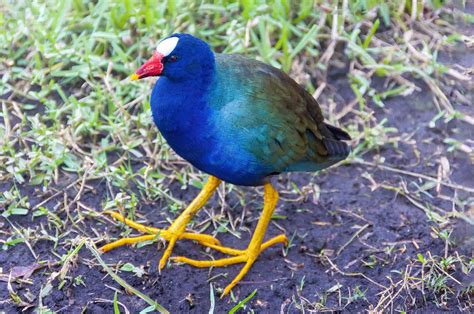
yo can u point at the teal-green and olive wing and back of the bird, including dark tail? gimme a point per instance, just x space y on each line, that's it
275 119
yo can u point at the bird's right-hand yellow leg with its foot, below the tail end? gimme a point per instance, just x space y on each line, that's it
254 248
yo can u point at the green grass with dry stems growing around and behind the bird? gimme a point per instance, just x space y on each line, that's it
70 115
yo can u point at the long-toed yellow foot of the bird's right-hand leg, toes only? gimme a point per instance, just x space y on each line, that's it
247 256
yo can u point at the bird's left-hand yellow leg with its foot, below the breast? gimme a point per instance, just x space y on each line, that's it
176 230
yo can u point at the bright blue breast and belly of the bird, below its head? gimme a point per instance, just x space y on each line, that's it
192 126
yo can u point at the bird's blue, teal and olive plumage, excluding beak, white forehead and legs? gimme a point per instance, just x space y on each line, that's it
239 119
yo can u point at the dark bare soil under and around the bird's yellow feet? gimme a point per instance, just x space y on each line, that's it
354 241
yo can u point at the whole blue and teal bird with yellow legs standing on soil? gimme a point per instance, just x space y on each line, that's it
240 121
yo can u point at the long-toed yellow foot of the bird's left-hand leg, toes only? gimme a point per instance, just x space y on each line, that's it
171 235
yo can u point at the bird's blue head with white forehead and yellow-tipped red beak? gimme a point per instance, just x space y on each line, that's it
177 57
